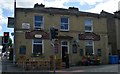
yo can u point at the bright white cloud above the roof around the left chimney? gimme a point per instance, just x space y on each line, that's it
48 3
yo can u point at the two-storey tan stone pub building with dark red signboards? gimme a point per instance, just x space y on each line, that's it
80 33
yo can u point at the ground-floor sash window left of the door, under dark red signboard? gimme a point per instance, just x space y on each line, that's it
37 46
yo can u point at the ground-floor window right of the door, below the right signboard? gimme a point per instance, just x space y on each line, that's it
89 47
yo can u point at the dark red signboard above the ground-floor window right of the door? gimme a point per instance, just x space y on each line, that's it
89 36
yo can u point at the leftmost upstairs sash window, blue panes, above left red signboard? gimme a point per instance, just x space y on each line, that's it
38 22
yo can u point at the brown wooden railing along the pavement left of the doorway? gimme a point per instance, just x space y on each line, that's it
39 64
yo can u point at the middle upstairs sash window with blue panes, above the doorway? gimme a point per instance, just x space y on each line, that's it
64 24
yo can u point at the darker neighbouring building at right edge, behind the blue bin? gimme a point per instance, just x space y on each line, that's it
113 25
